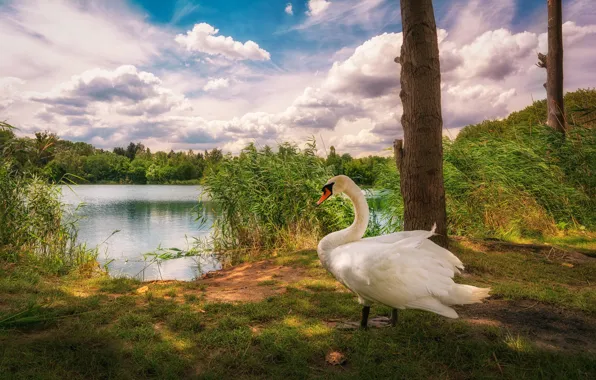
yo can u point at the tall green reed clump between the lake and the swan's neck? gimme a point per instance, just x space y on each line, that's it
267 200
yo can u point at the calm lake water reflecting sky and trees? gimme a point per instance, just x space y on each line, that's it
147 217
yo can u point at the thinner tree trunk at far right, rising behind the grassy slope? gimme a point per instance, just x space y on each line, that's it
554 67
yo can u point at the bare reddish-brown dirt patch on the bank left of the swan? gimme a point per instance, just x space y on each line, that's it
248 282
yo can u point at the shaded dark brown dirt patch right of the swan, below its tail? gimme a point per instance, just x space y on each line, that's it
547 326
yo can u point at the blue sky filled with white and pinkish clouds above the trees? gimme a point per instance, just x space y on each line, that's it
199 74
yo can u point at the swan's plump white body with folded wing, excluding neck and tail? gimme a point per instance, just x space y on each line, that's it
398 274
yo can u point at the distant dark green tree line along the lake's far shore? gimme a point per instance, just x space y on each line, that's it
62 161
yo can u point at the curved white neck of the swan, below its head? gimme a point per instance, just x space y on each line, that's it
352 233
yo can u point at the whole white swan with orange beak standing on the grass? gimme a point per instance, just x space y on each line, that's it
401 270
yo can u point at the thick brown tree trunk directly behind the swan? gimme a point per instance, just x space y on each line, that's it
422 157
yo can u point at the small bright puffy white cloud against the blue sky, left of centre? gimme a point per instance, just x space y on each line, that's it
203 38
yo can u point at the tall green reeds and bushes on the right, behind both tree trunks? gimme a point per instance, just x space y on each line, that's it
515 178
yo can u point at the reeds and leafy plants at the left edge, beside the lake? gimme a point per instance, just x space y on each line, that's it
31 218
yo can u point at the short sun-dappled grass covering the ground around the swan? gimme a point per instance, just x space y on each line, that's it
103 328
